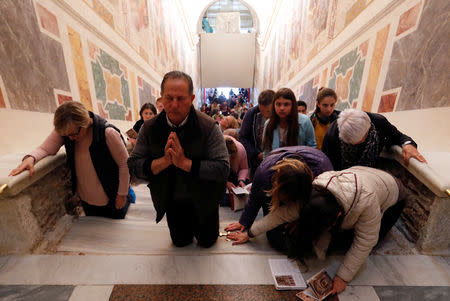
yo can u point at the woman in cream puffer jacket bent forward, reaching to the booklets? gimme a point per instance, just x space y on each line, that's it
362 199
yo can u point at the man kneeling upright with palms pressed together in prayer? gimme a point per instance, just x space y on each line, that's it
182 153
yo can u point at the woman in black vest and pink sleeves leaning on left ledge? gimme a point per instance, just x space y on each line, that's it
97 158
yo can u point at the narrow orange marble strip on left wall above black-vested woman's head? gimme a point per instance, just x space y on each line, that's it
80 68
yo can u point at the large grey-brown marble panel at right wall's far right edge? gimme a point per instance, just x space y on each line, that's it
420 62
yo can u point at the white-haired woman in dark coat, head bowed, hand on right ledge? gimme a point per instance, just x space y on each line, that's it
358 137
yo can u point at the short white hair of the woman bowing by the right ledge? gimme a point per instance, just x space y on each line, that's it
353 125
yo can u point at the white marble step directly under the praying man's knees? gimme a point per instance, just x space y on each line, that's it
94 235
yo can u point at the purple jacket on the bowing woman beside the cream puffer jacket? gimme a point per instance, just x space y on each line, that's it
317 161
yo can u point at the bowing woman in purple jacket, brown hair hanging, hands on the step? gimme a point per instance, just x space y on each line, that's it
281 184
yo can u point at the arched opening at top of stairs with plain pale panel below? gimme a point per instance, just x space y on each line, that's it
227 30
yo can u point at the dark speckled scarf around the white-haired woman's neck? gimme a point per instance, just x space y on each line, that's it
364 154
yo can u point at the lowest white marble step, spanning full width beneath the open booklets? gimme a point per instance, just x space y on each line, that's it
412 270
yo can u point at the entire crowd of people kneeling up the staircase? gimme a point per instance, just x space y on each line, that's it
315 177
